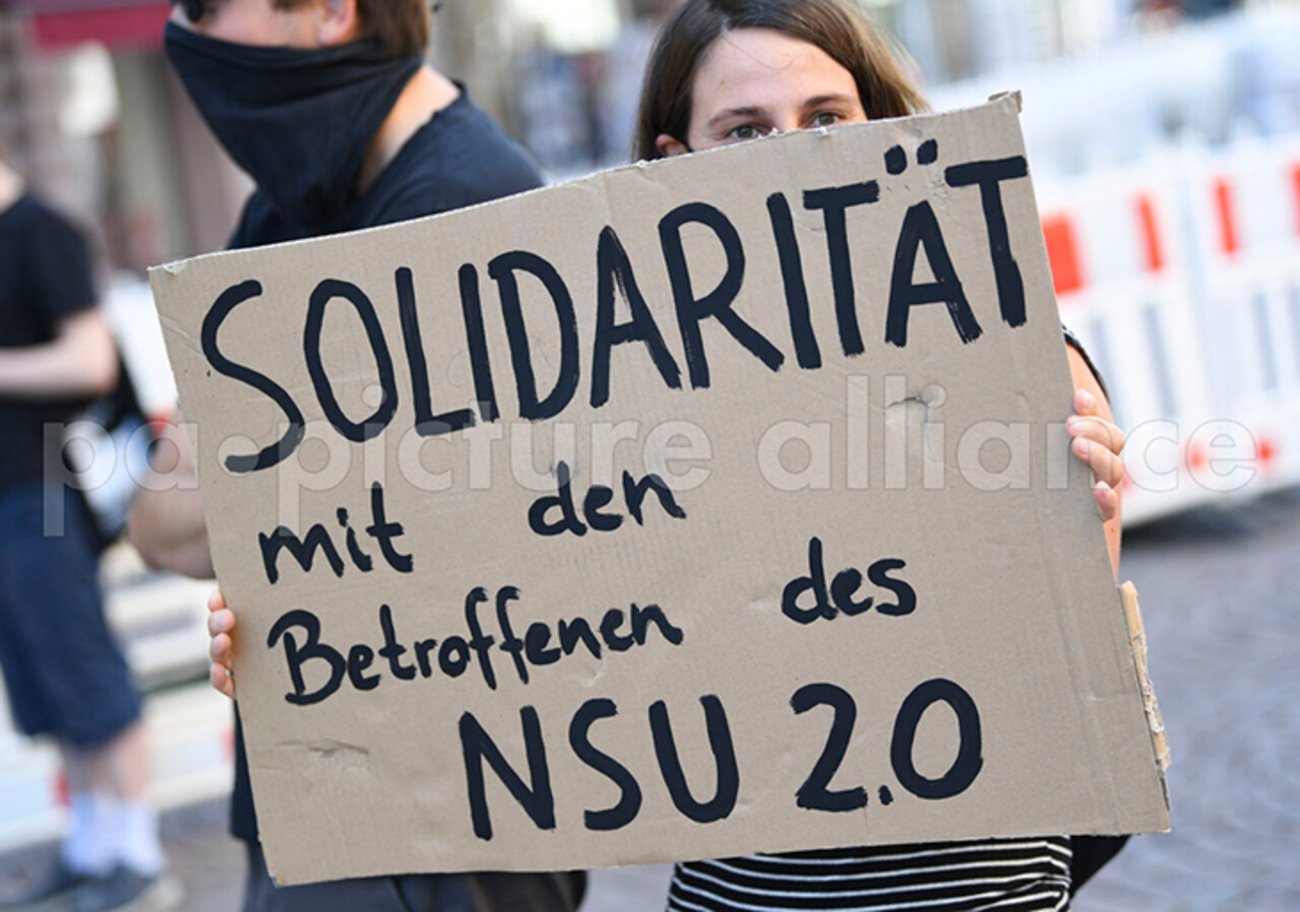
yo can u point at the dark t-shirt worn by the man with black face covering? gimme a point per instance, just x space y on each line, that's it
461 158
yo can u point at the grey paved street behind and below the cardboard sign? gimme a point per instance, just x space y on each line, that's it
1224 622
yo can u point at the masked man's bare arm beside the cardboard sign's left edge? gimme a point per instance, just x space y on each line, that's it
167 519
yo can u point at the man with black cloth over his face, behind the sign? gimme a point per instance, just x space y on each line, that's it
330 106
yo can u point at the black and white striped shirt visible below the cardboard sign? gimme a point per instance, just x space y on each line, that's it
1006 875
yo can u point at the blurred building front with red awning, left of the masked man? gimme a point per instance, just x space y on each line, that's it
99 125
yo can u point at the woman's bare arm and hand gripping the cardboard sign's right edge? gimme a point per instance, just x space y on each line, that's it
1098 444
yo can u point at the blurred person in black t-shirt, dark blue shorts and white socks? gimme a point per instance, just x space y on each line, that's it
64 672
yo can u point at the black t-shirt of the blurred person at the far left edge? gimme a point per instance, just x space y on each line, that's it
45 279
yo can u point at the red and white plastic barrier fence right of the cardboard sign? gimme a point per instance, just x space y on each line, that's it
1182 276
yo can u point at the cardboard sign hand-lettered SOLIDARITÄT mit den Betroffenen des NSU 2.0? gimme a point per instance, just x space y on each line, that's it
691 510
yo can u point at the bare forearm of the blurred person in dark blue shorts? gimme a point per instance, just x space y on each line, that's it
81 362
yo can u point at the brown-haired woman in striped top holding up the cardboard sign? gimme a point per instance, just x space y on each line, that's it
733 71
